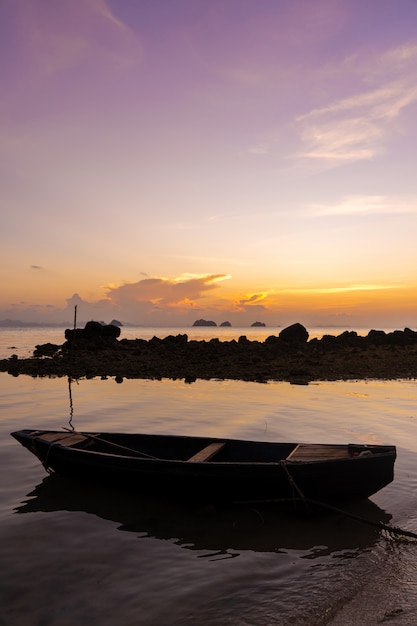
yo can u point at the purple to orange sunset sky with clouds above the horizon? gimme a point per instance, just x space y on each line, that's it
232 160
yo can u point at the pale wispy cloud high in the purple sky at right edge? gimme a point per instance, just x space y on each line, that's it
357 127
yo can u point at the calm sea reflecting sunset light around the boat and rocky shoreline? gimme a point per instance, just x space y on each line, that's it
75 554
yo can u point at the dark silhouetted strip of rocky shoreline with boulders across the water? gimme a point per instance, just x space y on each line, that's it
96 351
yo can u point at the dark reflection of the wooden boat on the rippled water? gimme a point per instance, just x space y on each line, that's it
226 528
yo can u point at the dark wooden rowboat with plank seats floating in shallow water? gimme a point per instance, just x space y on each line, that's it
211 468
